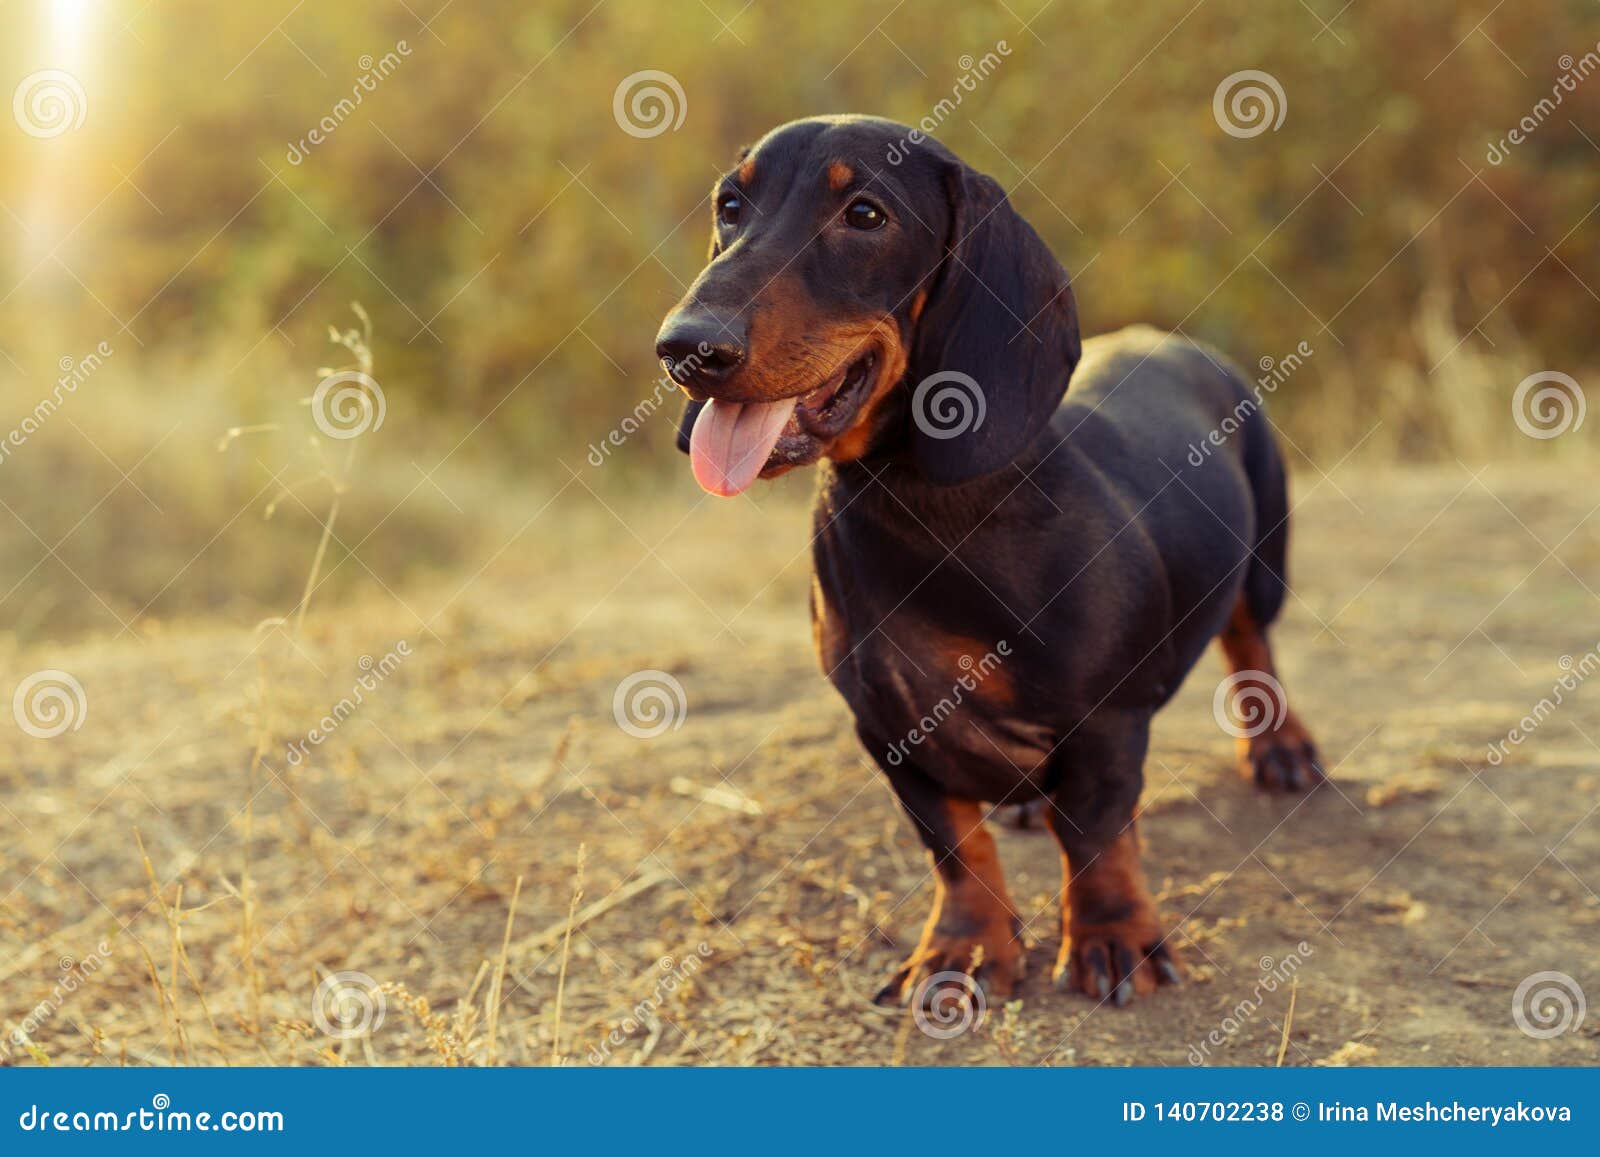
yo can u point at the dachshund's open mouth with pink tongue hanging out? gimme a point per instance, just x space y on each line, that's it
734 444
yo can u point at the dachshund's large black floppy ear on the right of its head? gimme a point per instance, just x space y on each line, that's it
996 343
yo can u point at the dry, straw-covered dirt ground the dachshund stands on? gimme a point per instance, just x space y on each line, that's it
743 883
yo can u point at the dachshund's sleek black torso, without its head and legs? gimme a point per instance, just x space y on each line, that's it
1103 574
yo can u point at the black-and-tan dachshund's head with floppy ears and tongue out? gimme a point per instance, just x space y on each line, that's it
868 292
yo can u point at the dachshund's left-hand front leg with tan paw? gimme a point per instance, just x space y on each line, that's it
974 927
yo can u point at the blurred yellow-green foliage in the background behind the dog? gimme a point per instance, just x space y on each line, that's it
518 249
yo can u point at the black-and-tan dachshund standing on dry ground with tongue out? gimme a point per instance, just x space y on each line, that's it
1009 585
